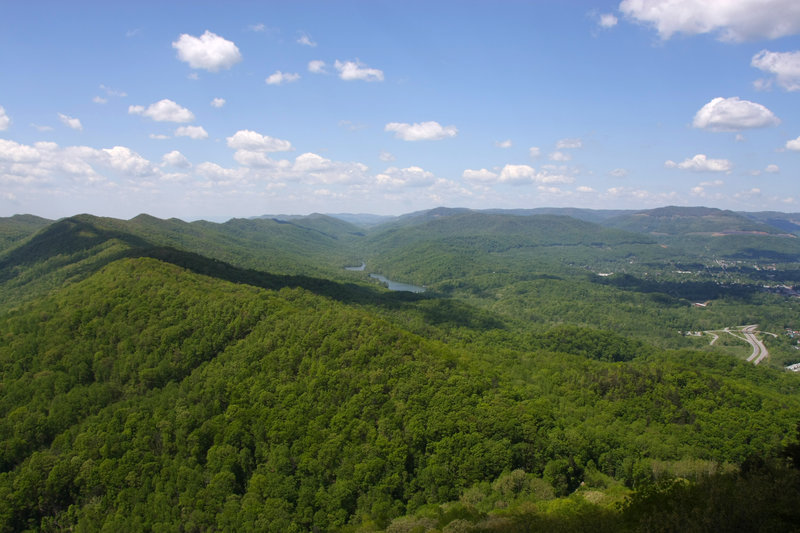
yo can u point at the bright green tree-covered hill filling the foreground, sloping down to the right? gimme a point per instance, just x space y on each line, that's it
149 397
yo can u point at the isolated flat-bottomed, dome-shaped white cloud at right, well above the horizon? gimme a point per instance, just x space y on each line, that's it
733 114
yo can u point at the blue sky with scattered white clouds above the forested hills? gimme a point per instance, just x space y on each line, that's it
211 110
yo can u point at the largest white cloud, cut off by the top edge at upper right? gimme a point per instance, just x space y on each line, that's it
731 20
